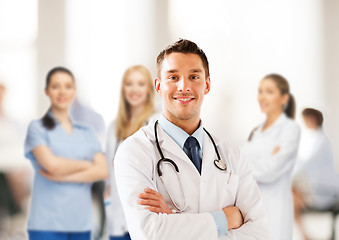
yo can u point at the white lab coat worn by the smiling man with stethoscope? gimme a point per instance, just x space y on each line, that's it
135 169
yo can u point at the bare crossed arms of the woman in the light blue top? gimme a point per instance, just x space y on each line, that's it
61 169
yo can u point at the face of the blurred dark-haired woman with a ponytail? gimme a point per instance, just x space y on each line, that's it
270 98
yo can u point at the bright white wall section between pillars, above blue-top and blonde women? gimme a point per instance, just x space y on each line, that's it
104 38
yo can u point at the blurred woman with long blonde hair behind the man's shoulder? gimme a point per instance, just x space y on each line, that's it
136 107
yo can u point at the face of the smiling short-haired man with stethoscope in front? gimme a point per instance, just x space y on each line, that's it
182 85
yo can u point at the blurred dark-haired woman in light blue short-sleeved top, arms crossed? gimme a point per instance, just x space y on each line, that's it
67 158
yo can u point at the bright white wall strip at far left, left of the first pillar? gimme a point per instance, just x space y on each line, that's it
18 32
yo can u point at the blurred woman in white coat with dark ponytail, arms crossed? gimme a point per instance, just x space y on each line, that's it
272 150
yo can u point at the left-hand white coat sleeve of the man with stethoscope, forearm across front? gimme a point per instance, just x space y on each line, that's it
134 170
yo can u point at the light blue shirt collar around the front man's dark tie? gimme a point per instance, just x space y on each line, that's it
179 135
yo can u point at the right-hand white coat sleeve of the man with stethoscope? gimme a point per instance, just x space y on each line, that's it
249 201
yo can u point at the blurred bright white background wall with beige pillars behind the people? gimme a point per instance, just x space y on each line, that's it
243 40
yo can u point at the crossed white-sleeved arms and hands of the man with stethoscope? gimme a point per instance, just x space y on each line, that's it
152 220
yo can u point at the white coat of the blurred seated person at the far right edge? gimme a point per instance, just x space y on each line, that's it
315 174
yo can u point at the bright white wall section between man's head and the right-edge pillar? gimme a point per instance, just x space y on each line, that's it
244 41
